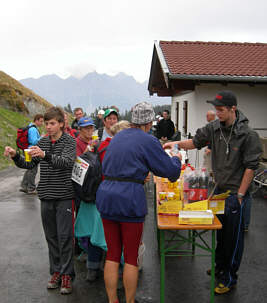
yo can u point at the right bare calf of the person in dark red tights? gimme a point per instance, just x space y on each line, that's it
130 279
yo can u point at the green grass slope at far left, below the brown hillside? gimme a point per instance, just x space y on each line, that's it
9 122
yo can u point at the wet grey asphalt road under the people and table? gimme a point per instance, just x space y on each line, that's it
24 259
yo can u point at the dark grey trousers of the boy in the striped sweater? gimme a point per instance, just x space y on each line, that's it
58 228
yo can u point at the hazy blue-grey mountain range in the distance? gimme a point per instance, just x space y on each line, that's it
93 90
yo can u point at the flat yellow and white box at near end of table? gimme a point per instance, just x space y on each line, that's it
195 217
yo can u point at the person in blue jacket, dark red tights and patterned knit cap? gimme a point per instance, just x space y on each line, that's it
121 197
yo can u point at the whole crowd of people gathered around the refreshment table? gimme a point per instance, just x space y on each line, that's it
111 228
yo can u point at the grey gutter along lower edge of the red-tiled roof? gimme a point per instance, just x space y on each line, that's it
227 78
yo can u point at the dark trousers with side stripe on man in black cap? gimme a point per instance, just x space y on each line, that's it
230 240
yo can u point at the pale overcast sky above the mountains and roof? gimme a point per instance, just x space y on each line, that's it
40 37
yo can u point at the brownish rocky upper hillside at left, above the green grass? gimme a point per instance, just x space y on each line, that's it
16 97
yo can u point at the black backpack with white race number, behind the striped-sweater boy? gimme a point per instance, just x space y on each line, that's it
92 178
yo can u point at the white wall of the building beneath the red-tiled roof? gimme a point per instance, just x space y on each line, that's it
252 101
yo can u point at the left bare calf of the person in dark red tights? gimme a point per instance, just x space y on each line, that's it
111 275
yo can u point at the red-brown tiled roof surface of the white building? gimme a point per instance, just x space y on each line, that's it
215 58
